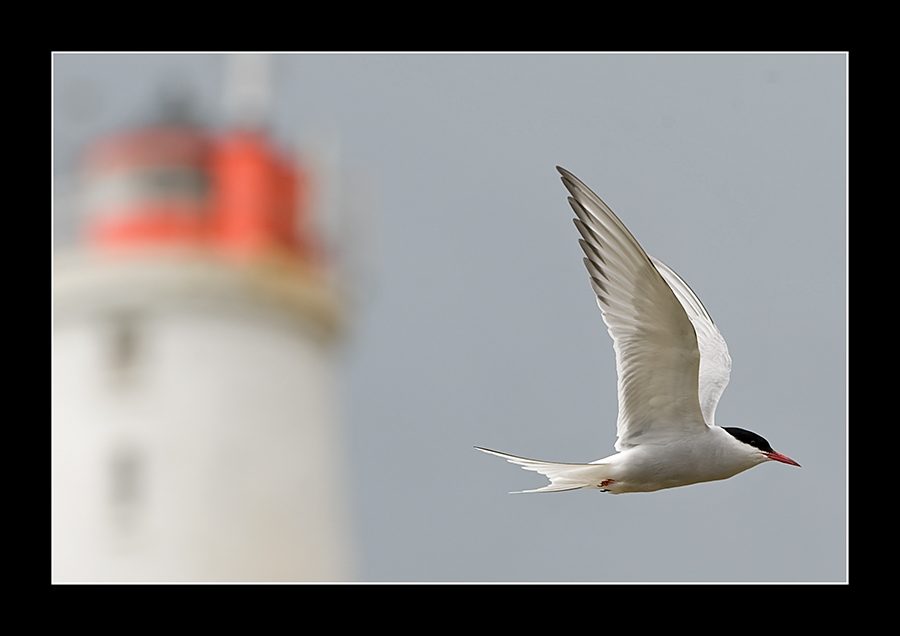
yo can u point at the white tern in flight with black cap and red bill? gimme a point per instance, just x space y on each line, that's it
672 366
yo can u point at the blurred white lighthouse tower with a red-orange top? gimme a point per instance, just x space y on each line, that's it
195 432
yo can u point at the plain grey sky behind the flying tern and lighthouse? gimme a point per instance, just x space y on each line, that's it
477 326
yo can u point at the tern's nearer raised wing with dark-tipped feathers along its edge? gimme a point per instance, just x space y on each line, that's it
657 353
